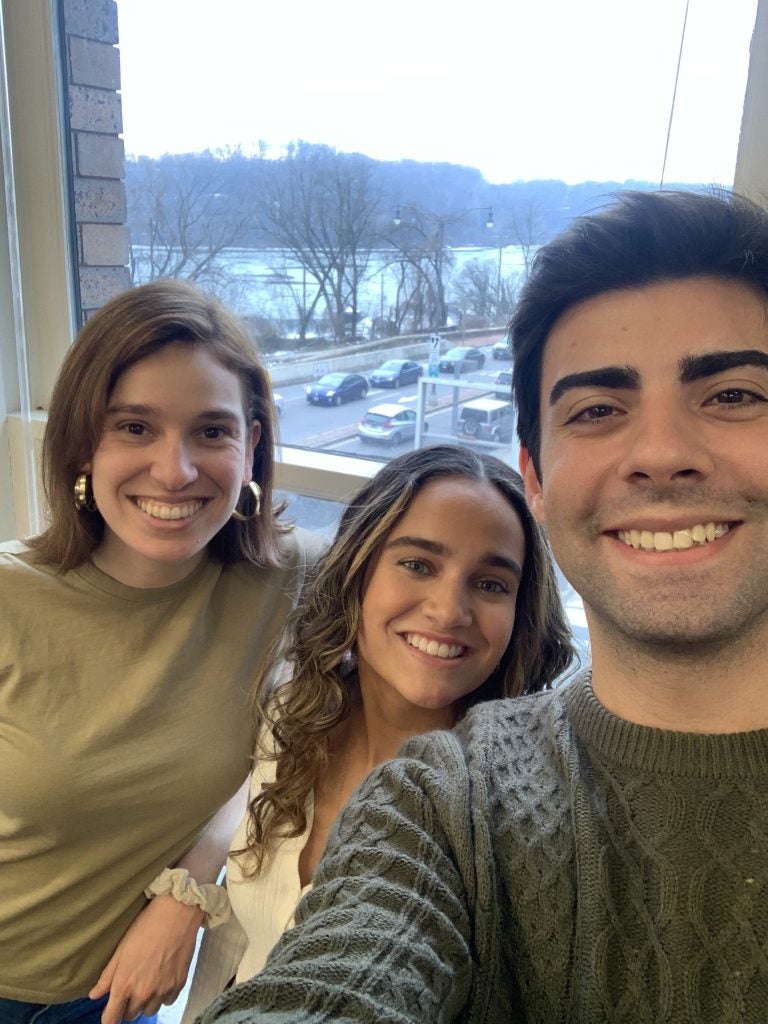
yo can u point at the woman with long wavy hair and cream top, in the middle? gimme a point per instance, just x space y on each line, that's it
438 592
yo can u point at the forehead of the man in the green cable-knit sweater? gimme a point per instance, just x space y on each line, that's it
652 329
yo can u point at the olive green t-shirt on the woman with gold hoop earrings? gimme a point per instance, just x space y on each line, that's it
124 726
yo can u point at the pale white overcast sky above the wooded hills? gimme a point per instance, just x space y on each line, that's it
570 90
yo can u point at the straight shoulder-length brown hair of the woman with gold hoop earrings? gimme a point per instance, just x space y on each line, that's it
131 327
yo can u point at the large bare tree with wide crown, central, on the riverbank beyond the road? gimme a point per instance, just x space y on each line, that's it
320 207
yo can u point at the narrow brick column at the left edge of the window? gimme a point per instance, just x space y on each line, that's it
93 71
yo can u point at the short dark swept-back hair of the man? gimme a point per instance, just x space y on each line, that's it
643 239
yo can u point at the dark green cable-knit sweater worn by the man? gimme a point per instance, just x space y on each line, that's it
544 863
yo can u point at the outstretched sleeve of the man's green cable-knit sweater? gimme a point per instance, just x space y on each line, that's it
386 933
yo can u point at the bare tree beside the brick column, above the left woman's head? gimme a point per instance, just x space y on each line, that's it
183 218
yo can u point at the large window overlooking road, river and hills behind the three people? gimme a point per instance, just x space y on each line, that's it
353 193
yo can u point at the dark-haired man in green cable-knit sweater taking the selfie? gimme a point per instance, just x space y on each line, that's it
599 854
